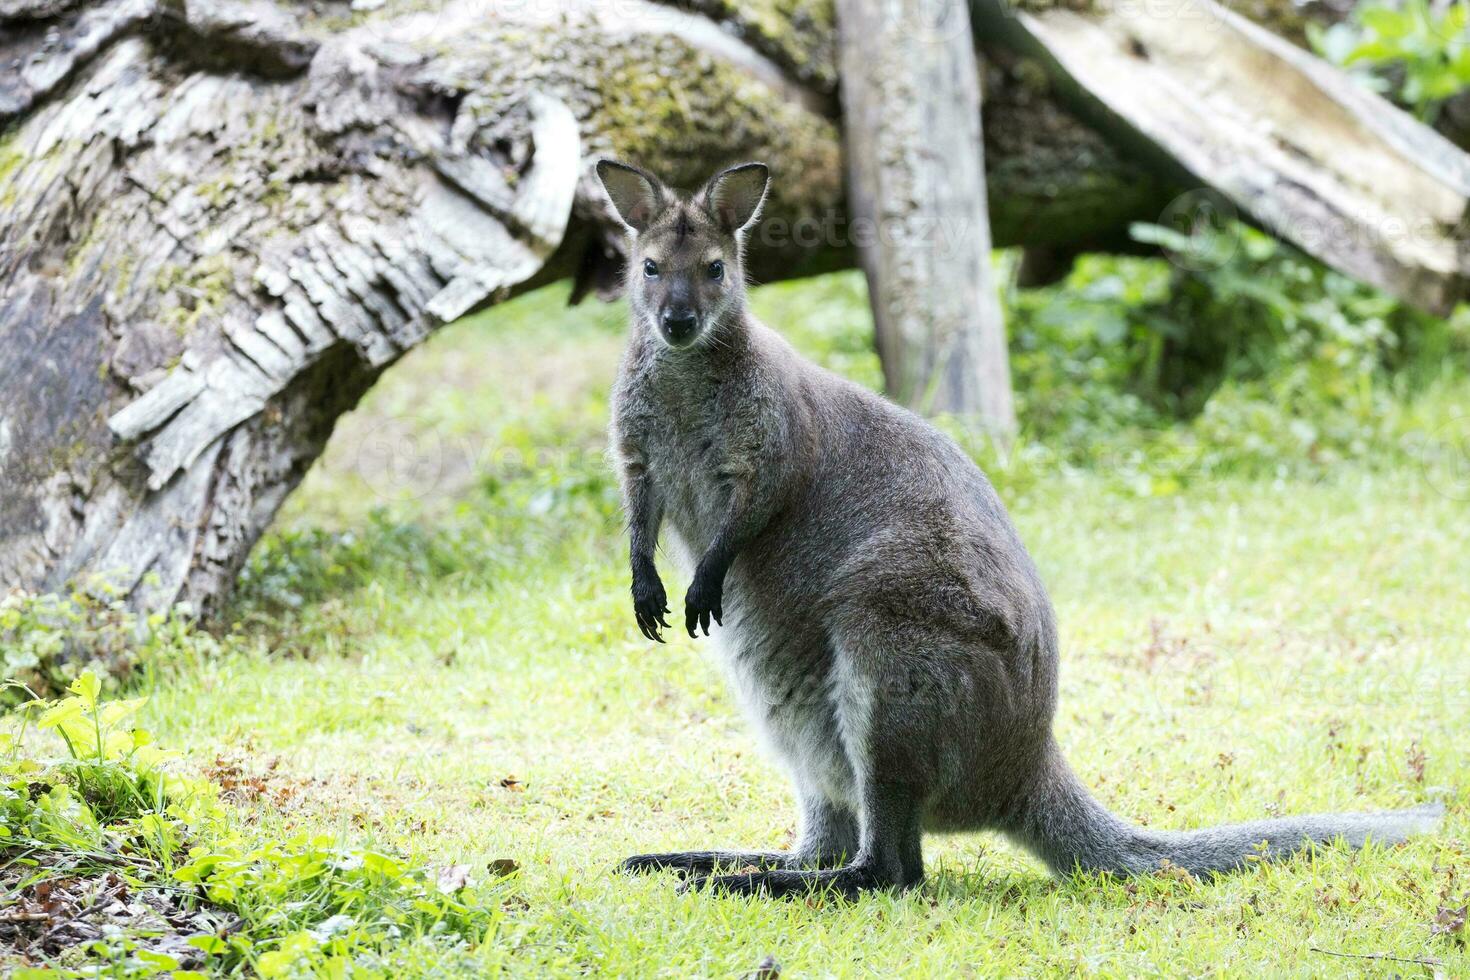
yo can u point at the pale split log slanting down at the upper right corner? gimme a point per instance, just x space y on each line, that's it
1290 140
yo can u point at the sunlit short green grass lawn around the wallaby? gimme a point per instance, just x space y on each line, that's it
436 659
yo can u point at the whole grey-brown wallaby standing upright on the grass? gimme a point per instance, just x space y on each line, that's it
878 616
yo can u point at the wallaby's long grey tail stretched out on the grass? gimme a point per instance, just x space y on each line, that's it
1069 829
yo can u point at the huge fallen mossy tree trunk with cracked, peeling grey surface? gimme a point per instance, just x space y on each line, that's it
223 220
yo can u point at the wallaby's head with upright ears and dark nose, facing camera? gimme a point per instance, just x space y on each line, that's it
686 271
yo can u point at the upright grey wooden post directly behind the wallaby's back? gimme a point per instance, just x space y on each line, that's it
917 180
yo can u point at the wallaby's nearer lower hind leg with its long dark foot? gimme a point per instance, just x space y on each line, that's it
889 854
